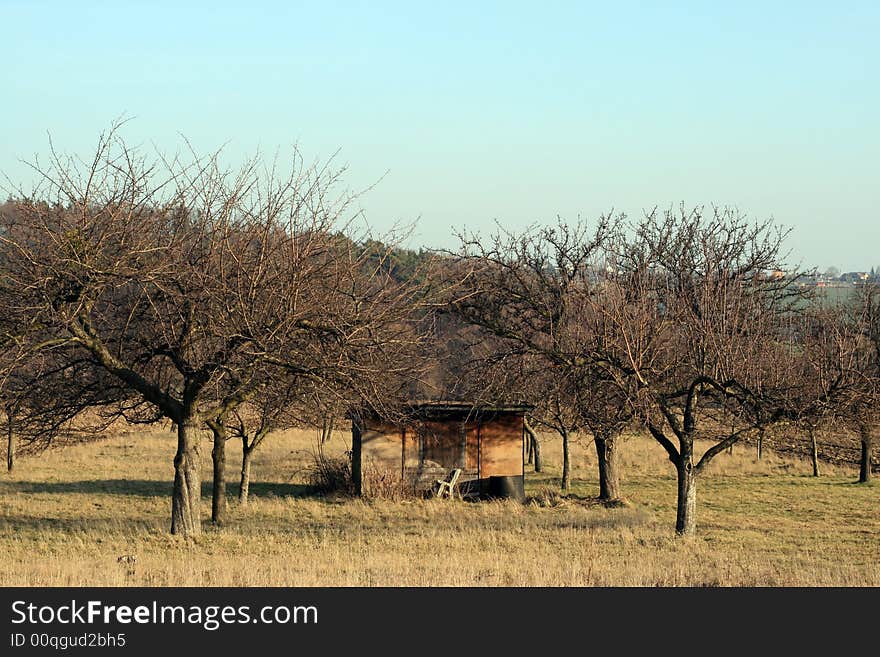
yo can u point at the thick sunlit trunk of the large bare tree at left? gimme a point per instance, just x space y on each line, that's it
187 496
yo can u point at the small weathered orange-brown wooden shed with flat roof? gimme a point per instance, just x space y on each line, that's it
485 442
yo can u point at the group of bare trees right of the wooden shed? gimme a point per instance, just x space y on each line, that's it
674 324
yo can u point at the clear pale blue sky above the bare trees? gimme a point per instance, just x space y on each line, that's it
481 111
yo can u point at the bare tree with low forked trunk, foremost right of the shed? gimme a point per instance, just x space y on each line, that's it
706 320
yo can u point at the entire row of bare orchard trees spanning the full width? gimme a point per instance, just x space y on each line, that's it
239 302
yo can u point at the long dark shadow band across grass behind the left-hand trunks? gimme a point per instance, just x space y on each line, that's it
149 488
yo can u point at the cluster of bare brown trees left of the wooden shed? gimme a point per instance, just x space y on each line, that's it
162 289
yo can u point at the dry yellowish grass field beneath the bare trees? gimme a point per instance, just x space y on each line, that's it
69 514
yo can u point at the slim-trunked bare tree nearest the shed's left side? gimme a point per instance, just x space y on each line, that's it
369 349
